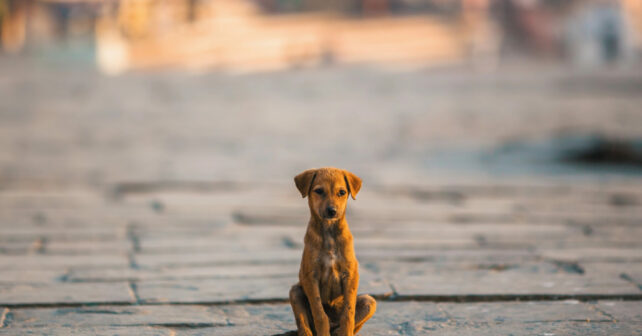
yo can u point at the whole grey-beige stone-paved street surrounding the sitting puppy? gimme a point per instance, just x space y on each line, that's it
163 204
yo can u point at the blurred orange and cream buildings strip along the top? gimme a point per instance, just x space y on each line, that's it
272 34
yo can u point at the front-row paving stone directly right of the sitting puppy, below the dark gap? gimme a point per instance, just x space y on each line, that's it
499 318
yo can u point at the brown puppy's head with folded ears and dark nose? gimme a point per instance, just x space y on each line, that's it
327 190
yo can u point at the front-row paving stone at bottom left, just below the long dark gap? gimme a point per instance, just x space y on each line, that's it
117 316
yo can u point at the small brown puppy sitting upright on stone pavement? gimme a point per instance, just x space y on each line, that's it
325 299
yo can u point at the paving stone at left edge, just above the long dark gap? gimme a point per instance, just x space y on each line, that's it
65 293
